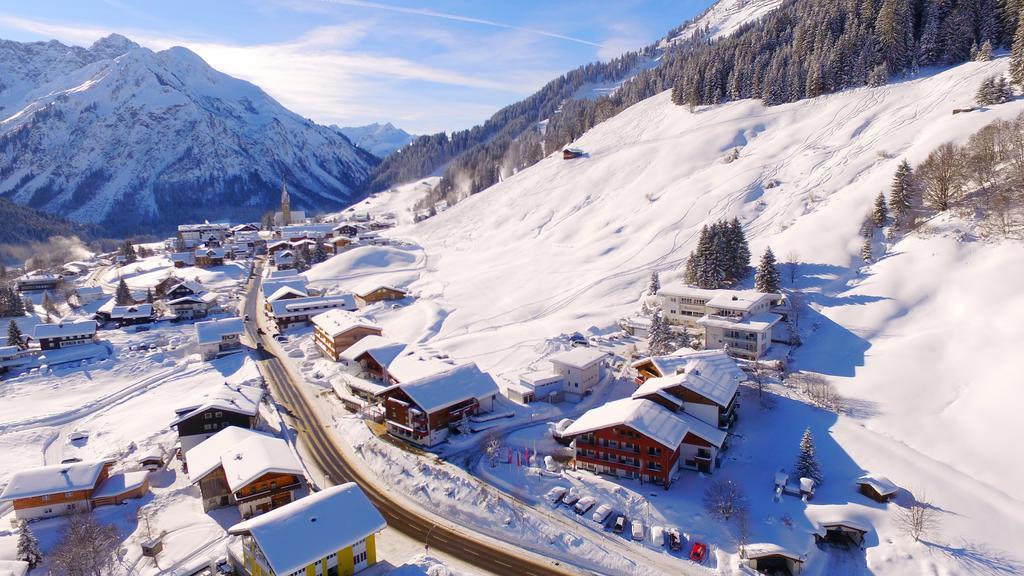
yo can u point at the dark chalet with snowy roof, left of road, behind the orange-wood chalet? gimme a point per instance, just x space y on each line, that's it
216 410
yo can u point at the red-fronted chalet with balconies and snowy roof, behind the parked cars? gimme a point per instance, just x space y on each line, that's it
637 438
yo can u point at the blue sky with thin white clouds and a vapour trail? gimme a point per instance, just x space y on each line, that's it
424 66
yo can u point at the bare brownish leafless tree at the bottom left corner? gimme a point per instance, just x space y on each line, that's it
87 548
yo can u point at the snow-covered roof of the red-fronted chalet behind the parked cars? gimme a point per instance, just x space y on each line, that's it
645 417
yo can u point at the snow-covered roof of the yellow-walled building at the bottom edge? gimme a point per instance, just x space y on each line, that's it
303 532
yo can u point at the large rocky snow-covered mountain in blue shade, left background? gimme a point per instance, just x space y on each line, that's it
134 140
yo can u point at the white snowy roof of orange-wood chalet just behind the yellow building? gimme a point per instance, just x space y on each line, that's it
245 456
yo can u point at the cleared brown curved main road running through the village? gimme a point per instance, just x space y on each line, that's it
330 459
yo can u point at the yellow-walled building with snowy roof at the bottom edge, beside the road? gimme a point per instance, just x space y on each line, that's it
332 532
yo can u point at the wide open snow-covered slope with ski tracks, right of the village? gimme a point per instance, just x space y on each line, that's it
568 245
